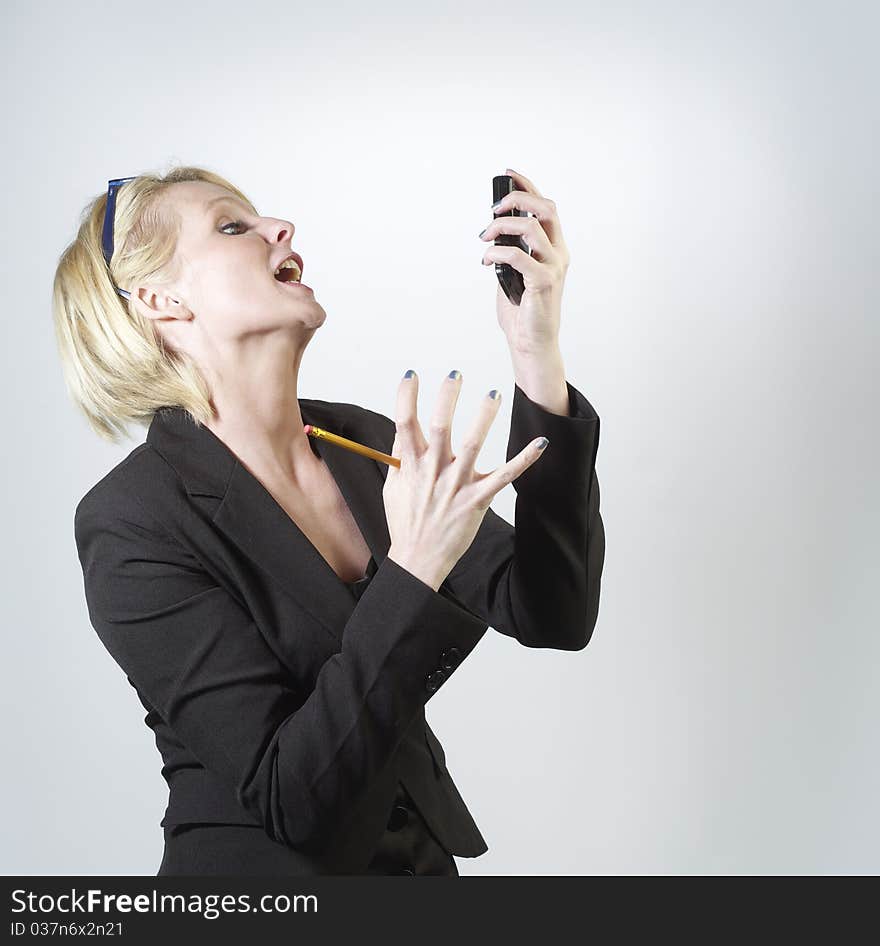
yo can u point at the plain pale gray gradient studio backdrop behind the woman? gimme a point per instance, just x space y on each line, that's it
714 167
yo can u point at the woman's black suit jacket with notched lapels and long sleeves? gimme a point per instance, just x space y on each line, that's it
276 697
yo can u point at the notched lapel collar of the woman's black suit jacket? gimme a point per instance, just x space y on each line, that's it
250 516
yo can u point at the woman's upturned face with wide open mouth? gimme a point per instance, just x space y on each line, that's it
227 257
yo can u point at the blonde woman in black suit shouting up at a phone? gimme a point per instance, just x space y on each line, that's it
283 607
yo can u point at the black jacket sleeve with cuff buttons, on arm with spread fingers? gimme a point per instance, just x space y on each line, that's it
297 760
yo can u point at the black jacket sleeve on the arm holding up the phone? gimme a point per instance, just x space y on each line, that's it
539 582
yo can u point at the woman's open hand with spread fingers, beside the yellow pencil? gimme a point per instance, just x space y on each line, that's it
436 500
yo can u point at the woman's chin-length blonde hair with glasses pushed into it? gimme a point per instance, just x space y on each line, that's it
115 364
